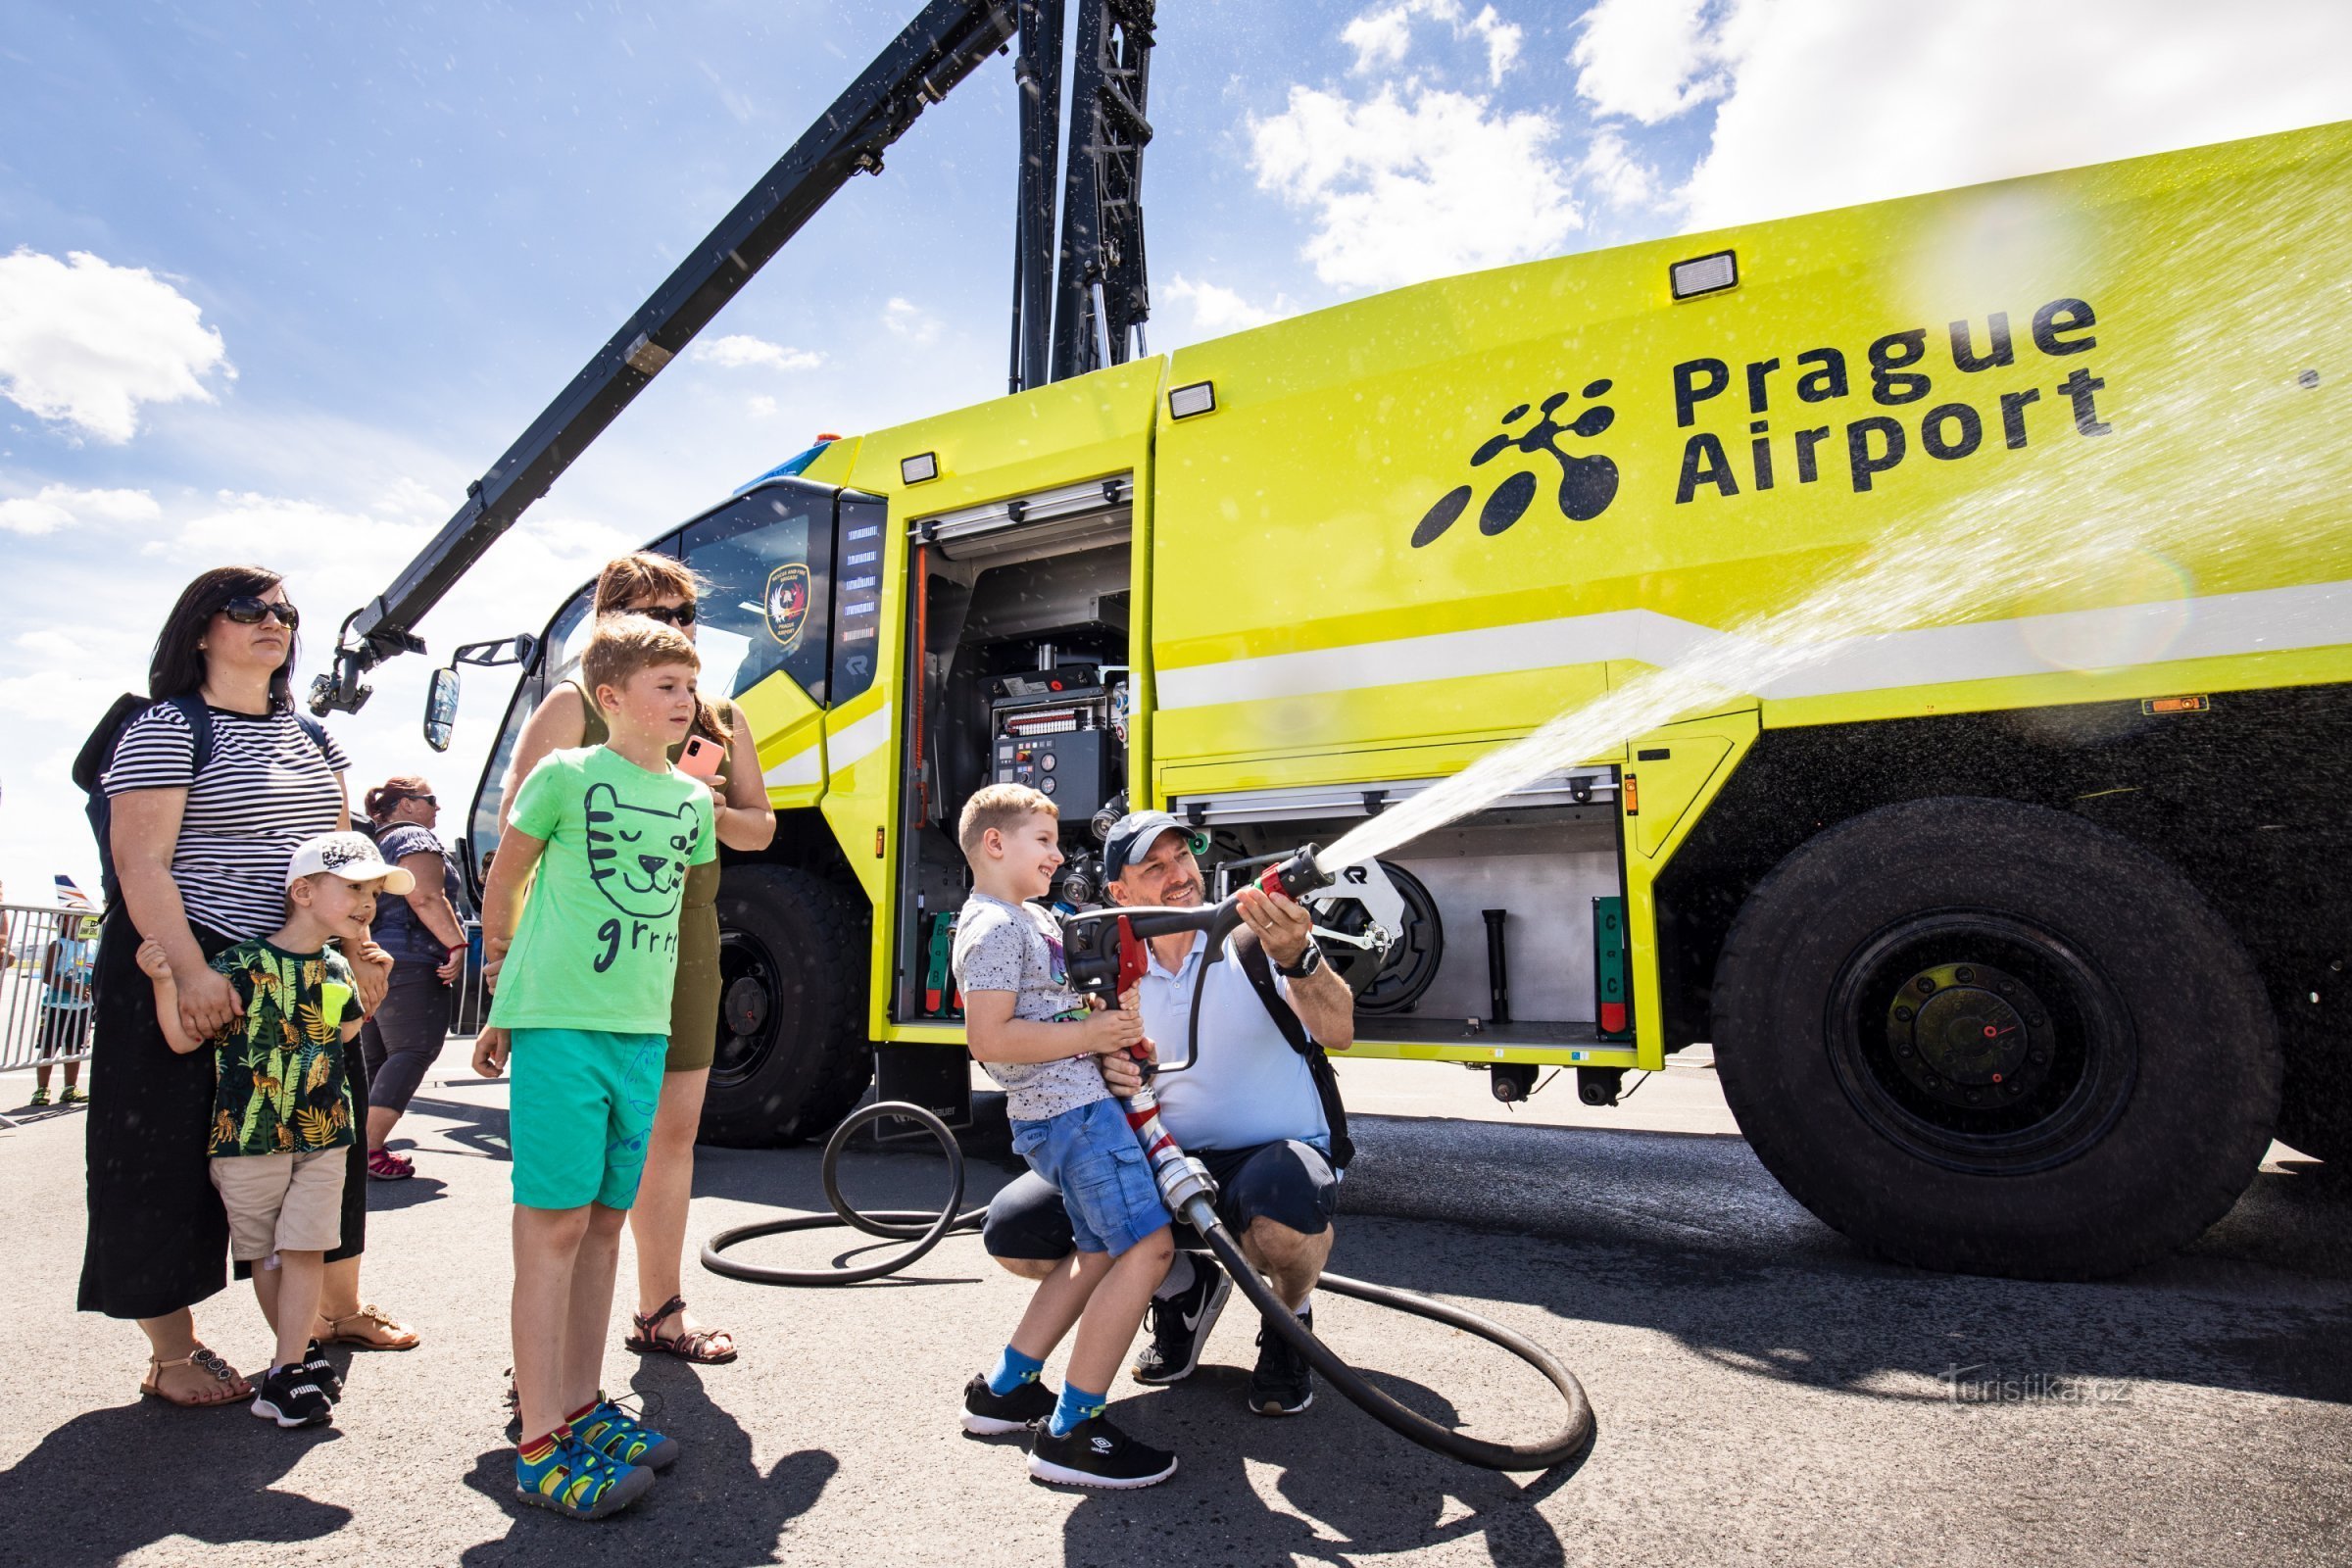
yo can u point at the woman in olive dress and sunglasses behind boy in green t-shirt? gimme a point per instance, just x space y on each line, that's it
664 589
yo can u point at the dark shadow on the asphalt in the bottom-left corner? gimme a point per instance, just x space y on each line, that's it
114 1482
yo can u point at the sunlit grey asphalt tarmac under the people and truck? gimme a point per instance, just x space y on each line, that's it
1763 1391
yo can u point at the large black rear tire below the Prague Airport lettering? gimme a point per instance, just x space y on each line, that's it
1996 1040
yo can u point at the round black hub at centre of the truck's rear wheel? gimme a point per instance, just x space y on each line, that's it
1967 1036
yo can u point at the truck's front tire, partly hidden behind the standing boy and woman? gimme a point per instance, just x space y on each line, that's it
794 1052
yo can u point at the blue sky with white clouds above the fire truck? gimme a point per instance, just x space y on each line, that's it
276 281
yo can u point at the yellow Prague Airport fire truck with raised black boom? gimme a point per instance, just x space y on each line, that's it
2017 918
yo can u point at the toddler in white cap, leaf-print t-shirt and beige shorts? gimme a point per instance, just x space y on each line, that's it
281 1120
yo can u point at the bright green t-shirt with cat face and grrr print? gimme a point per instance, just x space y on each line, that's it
599 937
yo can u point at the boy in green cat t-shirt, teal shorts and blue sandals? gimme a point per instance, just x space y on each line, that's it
582 1000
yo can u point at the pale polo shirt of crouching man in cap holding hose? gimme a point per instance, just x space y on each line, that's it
1248 1087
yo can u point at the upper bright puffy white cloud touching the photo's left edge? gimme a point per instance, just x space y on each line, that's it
86 344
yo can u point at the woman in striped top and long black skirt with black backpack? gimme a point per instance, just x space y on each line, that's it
201 852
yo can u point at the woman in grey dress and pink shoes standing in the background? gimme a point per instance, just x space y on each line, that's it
429 953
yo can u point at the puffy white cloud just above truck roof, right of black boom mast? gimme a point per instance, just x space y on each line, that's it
1408 192
